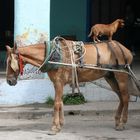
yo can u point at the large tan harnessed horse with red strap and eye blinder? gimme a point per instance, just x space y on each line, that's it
103 54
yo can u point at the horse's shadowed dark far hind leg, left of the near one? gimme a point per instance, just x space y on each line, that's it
110 78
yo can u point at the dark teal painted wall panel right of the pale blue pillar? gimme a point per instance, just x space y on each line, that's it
68 18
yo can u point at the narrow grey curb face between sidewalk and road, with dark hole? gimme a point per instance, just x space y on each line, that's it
38 114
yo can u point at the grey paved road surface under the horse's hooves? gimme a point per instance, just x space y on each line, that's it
77 127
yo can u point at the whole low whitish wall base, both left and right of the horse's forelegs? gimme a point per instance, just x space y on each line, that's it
37 90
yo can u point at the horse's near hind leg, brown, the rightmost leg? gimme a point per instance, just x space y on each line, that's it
122 82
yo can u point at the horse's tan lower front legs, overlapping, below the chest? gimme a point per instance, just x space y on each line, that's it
58 107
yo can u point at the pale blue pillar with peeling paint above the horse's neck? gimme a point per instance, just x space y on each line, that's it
32 21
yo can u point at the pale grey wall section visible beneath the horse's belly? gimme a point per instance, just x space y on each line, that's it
93 92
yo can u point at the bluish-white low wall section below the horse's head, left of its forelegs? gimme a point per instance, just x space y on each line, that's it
25 92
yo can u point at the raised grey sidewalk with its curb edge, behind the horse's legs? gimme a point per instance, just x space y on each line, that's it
41 110
